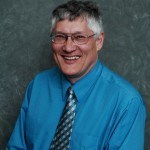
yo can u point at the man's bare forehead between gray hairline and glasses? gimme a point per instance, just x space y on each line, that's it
77 25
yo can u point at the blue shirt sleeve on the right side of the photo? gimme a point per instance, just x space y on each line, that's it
128 131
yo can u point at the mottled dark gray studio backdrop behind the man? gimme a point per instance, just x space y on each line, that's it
25 50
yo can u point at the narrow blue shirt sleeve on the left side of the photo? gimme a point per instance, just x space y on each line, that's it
17 139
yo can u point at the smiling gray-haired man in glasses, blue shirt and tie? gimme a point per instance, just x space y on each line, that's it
103 110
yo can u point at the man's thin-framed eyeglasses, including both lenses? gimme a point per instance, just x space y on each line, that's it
79 39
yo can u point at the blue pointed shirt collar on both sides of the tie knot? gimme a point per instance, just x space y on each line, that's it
82 86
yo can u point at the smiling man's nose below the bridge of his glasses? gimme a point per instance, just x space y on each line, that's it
69 45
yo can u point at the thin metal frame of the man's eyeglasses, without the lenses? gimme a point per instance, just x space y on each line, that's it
72 37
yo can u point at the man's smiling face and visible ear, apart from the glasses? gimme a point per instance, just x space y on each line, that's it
76 60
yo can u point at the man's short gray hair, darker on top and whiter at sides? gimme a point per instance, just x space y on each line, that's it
76 9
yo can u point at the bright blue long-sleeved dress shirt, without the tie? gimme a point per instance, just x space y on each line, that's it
110 114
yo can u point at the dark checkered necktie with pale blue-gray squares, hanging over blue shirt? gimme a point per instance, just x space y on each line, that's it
62 136
